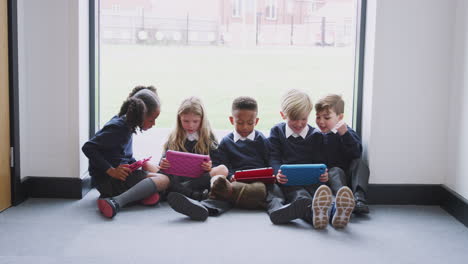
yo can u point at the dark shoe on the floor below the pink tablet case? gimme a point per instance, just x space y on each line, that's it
189 207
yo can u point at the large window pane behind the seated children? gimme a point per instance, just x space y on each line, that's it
215 50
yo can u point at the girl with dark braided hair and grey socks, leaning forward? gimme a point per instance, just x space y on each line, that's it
110 153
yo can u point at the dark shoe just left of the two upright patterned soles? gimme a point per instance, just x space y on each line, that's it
289 212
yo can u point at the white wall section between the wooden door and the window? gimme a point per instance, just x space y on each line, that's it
53 86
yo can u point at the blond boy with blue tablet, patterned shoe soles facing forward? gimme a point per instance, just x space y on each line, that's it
296 142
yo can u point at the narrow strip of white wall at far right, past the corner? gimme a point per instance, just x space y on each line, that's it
457 174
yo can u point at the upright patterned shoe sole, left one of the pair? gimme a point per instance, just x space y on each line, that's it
321 206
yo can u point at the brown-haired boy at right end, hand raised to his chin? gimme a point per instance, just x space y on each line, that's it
342 150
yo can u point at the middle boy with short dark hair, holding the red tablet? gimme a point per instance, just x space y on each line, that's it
245 148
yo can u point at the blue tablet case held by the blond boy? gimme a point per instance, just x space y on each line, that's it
302 174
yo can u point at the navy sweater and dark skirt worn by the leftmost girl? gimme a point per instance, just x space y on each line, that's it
109 148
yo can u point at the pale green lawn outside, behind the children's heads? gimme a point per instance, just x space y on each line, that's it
219 74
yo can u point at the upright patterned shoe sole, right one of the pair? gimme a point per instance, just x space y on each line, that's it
344 207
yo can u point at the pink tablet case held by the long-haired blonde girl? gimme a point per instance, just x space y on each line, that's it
185 164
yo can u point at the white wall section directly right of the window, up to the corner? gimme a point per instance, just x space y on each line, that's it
407 130
